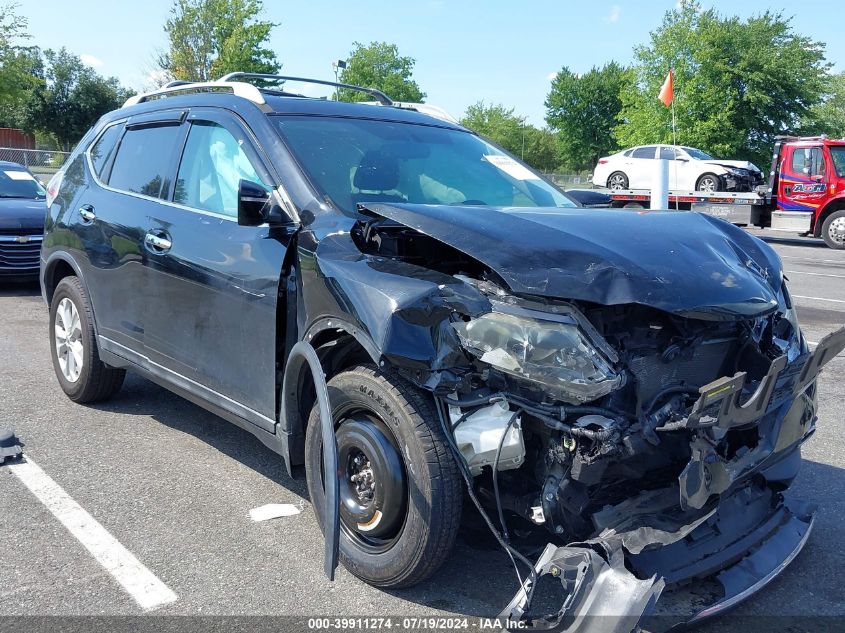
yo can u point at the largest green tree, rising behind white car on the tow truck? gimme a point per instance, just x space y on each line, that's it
737 83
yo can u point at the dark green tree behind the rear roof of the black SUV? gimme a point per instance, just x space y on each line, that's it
71 98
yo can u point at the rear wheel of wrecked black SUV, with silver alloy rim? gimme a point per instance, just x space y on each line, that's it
76 360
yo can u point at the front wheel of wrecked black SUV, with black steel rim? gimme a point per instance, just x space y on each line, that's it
433 494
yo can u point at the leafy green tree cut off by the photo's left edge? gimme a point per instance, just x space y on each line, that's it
20 67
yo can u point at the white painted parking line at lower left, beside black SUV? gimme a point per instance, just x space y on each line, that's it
138 581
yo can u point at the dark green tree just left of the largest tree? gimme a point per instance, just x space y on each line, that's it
584 110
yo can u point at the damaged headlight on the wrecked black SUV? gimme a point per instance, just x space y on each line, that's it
556 354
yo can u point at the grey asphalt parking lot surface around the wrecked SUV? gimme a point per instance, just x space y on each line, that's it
174 486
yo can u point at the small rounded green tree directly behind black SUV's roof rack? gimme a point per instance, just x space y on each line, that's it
379 65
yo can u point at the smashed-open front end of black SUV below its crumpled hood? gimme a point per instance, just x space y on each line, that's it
624 429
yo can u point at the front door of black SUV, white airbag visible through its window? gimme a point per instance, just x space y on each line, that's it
213 284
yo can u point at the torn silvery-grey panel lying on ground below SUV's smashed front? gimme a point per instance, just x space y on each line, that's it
600 595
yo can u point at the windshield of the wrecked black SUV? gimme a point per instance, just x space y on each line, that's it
357 161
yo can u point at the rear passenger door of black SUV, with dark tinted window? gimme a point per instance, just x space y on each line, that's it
130 162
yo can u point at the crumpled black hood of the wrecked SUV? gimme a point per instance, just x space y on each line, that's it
681 262
